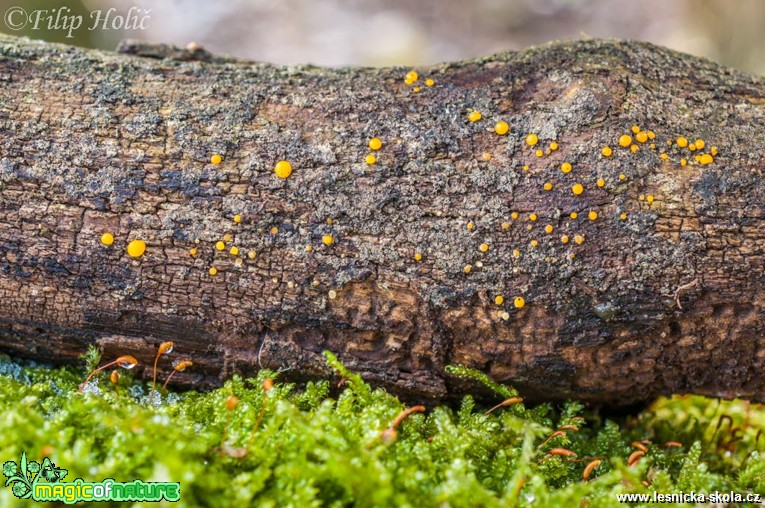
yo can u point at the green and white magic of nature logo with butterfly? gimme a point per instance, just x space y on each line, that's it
43 482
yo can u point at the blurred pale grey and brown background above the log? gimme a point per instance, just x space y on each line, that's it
400 32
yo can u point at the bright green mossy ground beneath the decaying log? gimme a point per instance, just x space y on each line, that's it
310 449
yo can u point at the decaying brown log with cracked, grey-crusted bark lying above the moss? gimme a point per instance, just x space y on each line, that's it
94 142
